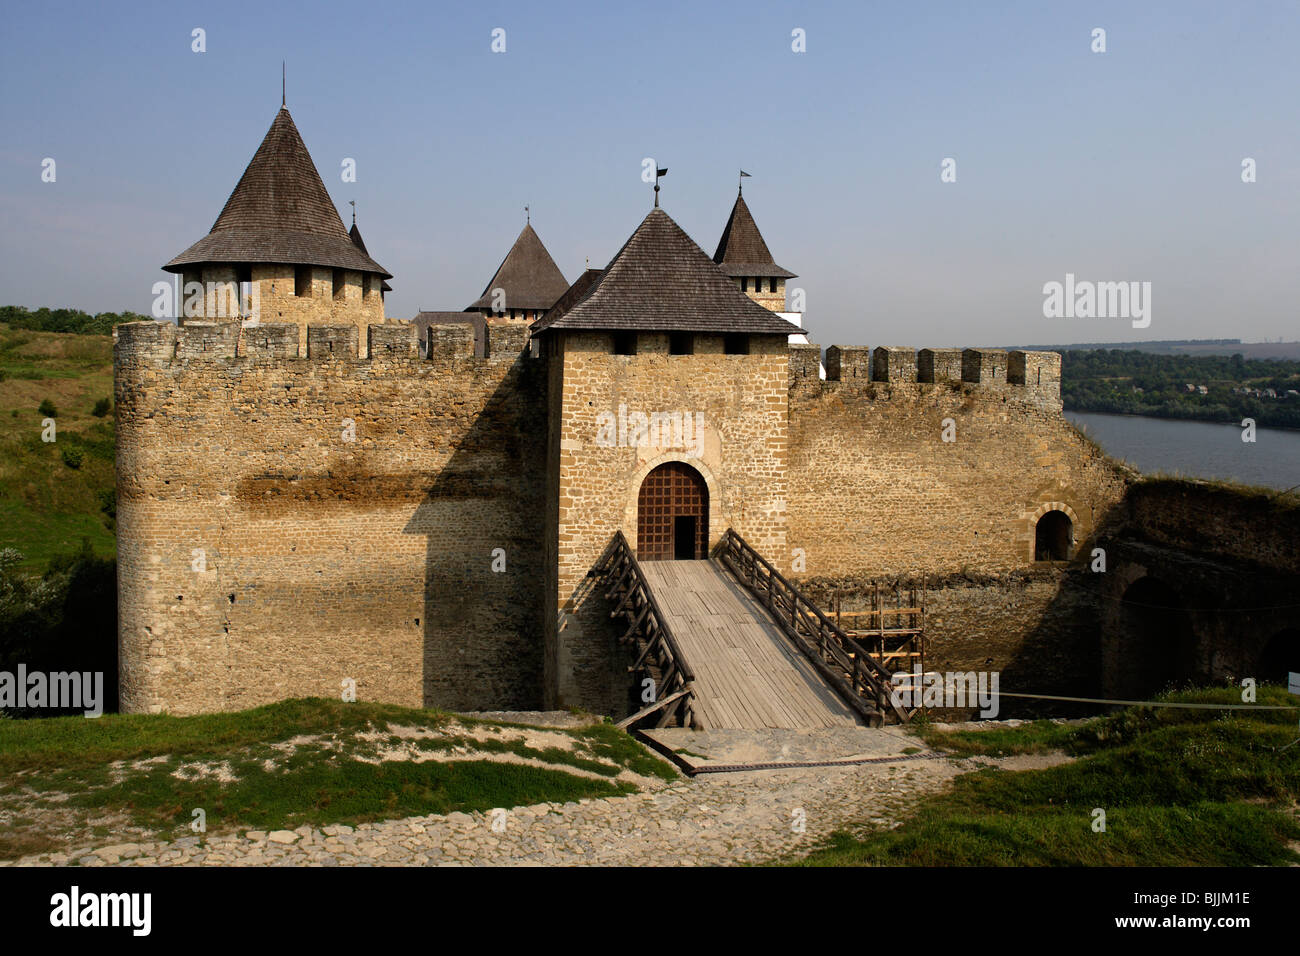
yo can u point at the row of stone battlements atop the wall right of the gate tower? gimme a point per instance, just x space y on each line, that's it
1033 375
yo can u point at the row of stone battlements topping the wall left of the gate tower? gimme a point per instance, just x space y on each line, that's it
271 343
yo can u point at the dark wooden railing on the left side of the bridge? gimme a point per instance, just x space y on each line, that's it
657 652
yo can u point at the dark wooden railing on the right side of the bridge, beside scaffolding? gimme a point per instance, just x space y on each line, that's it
864 684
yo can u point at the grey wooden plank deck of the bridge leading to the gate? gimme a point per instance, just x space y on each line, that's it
748 674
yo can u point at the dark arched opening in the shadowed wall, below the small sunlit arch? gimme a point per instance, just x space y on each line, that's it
1156 646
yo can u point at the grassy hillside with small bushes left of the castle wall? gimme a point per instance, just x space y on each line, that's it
53 495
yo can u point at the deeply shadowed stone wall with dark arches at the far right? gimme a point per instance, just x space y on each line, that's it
1202 589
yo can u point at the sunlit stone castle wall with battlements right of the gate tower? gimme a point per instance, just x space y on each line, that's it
876 490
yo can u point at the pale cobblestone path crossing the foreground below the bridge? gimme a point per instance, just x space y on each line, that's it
708 820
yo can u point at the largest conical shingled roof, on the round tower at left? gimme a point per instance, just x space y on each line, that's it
280 213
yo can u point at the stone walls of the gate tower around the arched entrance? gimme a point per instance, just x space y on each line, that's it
740 403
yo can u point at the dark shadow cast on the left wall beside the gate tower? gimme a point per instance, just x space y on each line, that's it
484 521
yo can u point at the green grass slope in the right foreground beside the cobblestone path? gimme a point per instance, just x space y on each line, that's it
1178 788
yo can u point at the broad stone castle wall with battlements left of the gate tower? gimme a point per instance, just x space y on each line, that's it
267 552
